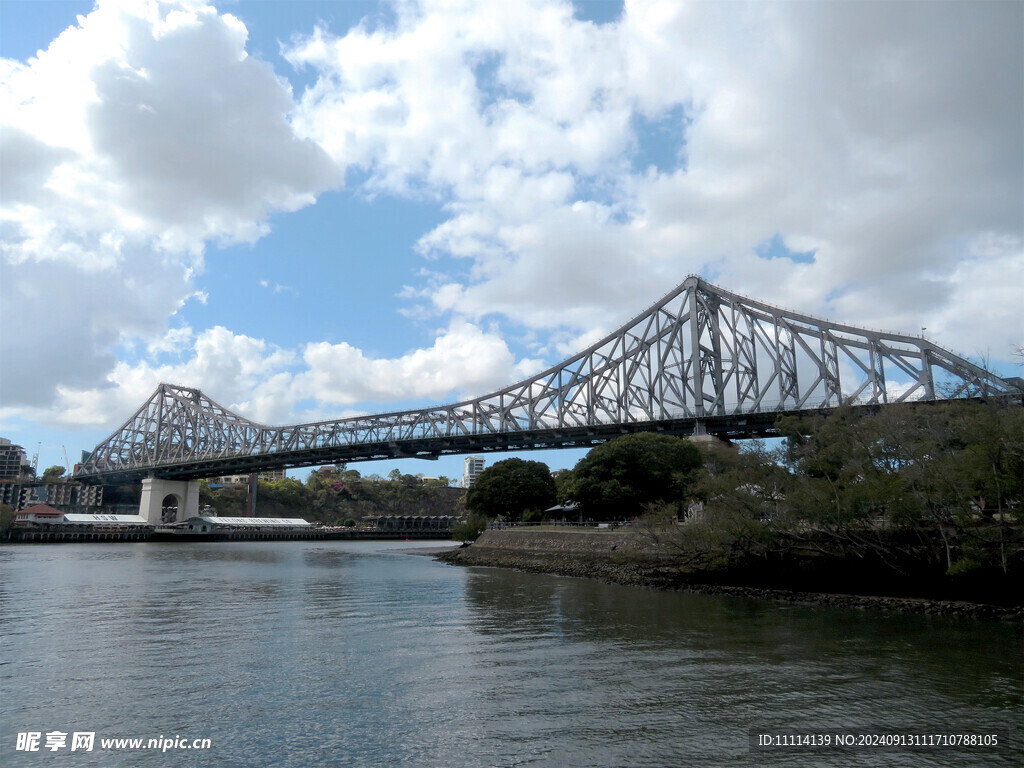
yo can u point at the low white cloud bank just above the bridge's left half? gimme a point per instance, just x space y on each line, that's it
269 385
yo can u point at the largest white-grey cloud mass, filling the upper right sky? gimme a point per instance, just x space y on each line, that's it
884 138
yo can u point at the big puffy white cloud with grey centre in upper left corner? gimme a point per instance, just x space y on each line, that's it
141 135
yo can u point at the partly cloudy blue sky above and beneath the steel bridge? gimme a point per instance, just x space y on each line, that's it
312 210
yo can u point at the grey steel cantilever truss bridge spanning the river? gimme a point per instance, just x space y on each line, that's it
701 361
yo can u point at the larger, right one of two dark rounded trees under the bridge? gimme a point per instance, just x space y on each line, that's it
622 478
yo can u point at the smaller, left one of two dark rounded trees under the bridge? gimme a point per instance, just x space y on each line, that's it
513 489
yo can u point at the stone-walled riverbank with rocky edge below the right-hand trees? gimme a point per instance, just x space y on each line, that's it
629 559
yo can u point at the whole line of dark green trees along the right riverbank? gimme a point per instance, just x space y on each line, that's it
934 489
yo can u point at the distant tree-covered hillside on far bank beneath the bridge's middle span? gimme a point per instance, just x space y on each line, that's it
337 497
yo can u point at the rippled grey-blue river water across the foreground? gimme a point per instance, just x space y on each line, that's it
362 654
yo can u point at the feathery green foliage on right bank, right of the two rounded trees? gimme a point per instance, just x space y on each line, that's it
926 489
